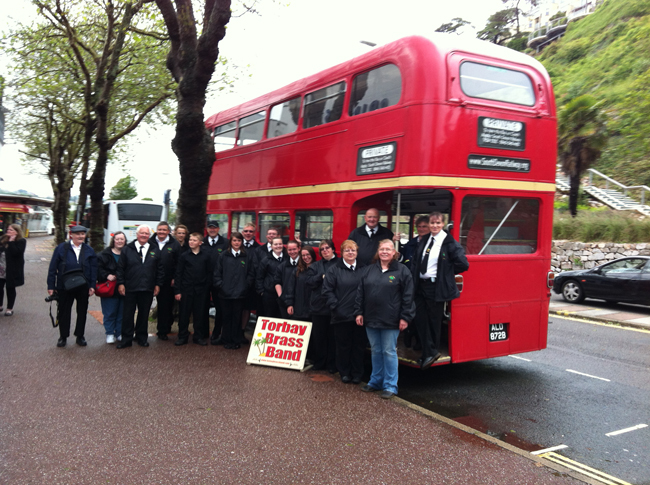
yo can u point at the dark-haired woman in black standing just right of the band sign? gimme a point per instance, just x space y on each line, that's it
322 350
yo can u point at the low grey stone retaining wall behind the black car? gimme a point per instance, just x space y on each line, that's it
568 255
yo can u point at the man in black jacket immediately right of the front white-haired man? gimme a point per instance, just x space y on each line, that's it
170 250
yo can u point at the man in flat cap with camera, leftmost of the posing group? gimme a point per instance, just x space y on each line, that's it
72 275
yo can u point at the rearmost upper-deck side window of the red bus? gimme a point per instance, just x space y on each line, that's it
376 89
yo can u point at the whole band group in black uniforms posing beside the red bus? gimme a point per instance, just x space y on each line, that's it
369 294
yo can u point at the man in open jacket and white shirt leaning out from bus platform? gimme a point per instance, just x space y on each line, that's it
437 260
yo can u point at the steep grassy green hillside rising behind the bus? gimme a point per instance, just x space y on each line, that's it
607 55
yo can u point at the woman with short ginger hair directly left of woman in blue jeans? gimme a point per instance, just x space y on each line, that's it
340 288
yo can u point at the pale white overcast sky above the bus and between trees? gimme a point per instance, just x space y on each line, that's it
280 45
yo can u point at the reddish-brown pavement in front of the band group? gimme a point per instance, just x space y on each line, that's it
200 415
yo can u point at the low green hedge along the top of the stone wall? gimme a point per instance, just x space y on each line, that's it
602 226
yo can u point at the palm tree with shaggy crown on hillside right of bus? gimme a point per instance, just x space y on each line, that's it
582 135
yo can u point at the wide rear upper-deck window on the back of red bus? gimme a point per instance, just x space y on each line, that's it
496 83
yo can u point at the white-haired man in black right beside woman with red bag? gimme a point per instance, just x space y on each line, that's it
140 274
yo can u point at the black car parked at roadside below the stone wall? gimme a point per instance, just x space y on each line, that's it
625 280
